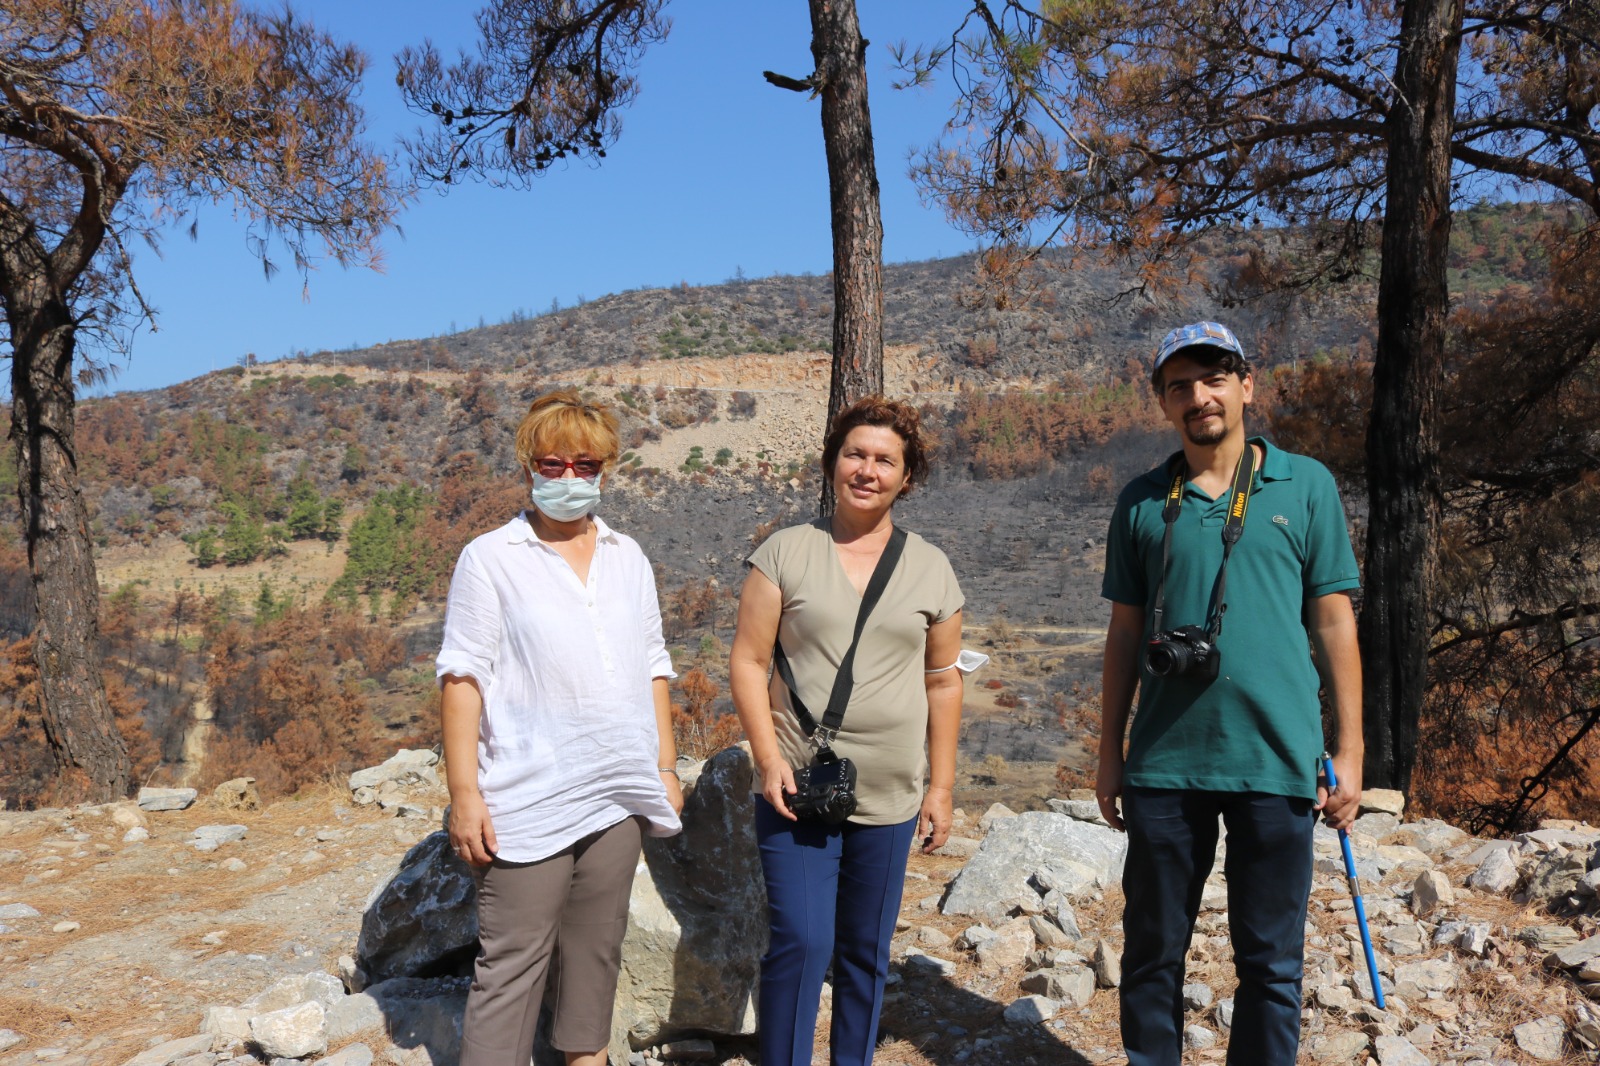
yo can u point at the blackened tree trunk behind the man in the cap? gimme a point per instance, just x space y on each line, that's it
1402 443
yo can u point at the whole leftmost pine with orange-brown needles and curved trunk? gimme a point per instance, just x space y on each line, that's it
114 119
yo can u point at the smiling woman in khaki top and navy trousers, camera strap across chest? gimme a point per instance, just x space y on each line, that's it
834 891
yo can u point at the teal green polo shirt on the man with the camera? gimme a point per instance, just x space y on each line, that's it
1258 726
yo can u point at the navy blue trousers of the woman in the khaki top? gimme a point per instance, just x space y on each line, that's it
833 897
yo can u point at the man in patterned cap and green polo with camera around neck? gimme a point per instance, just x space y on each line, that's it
1230 719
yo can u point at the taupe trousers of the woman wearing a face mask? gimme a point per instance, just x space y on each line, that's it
574 902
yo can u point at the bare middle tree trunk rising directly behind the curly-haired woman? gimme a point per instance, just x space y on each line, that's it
841 79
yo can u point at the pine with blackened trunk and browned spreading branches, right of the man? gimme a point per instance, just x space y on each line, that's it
1140 124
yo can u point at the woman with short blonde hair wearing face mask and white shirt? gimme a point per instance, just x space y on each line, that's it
558 742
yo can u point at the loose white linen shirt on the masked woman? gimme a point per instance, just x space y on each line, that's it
567 742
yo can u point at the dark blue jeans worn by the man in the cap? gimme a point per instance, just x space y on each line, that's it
1172 844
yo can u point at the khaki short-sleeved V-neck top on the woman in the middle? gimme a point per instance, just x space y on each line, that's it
887 718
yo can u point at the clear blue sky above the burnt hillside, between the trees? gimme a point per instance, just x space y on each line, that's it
714 172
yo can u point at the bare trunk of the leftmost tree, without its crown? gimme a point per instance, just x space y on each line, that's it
79 723
